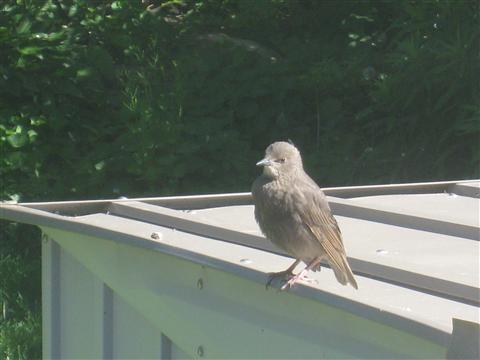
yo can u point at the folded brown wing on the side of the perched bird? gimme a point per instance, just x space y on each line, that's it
320 222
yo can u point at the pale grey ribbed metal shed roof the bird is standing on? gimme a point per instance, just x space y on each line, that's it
413 247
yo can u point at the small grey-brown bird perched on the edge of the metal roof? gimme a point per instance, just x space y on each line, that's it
293 213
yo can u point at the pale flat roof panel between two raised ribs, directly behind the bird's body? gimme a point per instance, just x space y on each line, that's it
409 249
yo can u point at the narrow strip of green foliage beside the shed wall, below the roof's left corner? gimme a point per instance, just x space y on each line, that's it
20 292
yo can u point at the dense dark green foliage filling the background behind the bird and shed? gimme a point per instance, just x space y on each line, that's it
101 99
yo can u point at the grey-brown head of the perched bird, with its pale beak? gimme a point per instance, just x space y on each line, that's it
281 159
